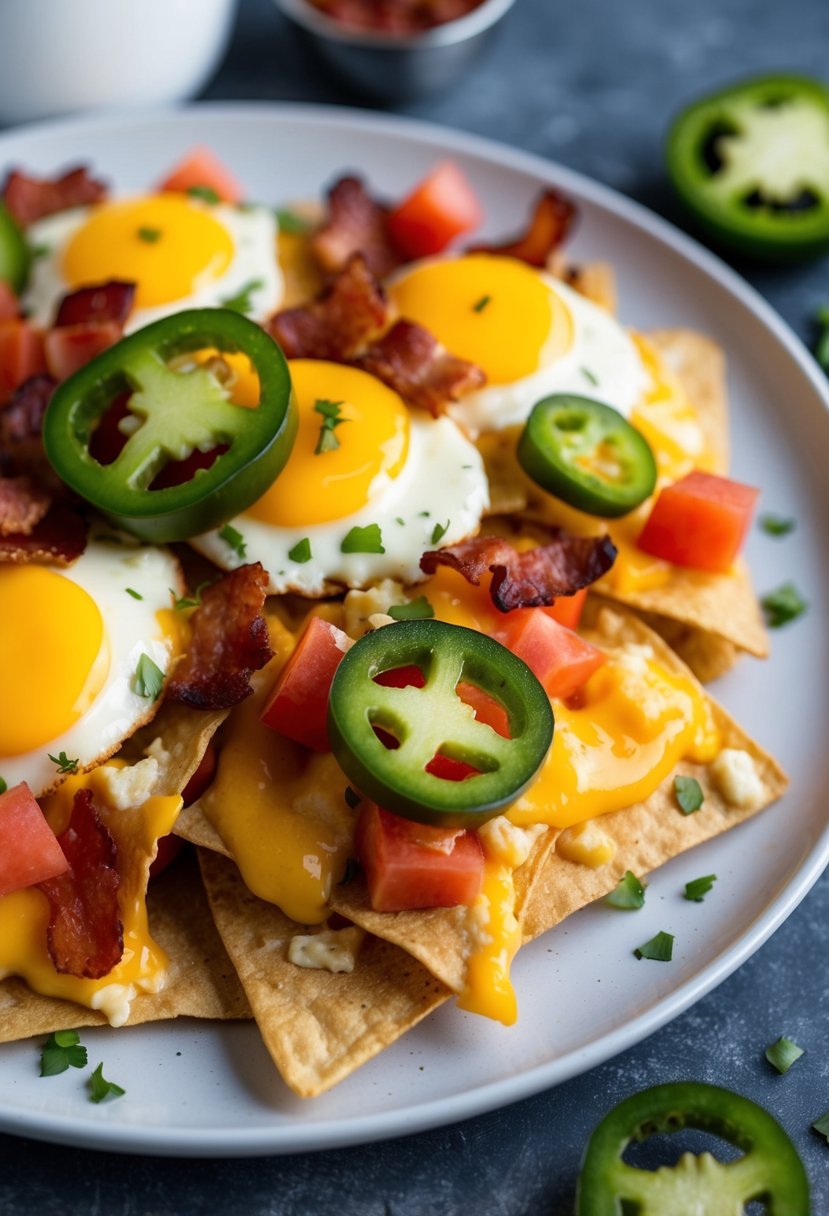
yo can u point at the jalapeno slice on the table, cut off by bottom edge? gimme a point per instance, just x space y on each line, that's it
770 1169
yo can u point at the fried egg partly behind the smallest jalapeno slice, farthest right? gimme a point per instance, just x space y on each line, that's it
529 333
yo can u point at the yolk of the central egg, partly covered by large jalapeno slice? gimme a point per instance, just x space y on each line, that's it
371 437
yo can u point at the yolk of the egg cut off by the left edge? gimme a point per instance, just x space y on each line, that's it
53 656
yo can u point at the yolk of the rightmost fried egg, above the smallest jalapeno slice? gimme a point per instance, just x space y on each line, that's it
498 313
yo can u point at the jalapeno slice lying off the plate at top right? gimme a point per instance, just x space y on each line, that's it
752 164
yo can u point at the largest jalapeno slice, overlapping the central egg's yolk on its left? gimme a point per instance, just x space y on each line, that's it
172 415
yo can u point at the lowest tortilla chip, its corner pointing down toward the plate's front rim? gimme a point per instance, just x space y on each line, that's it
318 1027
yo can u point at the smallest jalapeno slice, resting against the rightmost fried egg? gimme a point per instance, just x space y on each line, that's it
588 455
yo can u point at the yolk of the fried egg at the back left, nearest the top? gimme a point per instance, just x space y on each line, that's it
168 246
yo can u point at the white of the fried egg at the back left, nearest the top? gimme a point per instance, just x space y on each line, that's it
252 230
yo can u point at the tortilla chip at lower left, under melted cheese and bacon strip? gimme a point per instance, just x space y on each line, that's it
201 979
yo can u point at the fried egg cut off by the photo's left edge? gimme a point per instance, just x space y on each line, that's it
71 652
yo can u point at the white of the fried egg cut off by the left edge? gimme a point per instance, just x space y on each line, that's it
132 628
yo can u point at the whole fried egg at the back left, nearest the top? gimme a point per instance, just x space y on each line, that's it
179 251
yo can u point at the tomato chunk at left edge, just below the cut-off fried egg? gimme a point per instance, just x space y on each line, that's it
30 852
